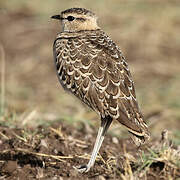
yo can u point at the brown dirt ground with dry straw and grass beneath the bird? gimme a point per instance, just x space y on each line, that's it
51 152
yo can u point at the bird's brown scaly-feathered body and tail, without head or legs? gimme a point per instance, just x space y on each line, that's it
91 66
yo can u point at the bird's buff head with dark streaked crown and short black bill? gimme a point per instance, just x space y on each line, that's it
77 19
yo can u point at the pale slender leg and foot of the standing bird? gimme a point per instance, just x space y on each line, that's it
105 123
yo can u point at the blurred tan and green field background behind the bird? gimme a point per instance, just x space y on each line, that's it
146 31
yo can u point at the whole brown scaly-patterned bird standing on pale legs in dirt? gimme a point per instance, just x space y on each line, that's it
93 68
